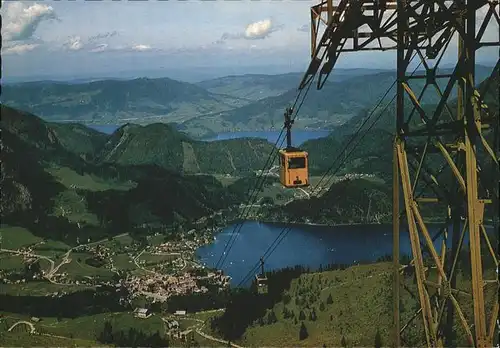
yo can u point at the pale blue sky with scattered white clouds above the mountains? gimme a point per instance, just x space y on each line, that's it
119 38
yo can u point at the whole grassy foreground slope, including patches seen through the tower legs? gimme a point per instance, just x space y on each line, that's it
361 305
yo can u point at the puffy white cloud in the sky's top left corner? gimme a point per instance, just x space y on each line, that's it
22 20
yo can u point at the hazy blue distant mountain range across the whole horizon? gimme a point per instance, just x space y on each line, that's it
232 103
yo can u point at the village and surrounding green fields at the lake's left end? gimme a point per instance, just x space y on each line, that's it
158 271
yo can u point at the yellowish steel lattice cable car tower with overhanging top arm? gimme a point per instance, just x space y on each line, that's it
445 160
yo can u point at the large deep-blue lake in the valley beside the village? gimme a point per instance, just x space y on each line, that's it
304 245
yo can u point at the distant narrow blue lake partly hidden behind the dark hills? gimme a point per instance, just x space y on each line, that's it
298 136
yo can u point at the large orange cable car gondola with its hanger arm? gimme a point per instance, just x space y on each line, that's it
294 167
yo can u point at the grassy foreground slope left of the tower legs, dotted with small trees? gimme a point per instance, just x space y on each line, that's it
360 306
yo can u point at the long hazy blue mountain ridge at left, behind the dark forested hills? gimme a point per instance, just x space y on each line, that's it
113 101
